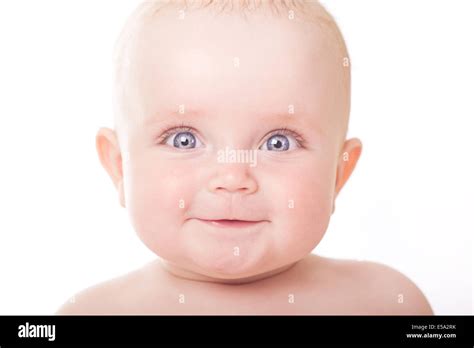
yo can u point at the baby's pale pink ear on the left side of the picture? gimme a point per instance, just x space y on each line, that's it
110 157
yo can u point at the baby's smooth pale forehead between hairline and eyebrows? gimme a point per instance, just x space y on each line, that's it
224 62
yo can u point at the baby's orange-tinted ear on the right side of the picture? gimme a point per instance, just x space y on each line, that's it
346 163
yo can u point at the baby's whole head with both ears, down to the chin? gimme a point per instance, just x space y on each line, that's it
230 110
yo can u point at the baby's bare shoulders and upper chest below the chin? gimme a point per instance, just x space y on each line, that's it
315 285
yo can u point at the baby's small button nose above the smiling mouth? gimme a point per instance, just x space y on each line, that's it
233 178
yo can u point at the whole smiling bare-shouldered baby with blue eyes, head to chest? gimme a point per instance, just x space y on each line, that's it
228 152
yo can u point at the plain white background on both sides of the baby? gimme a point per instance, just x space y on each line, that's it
408 204
